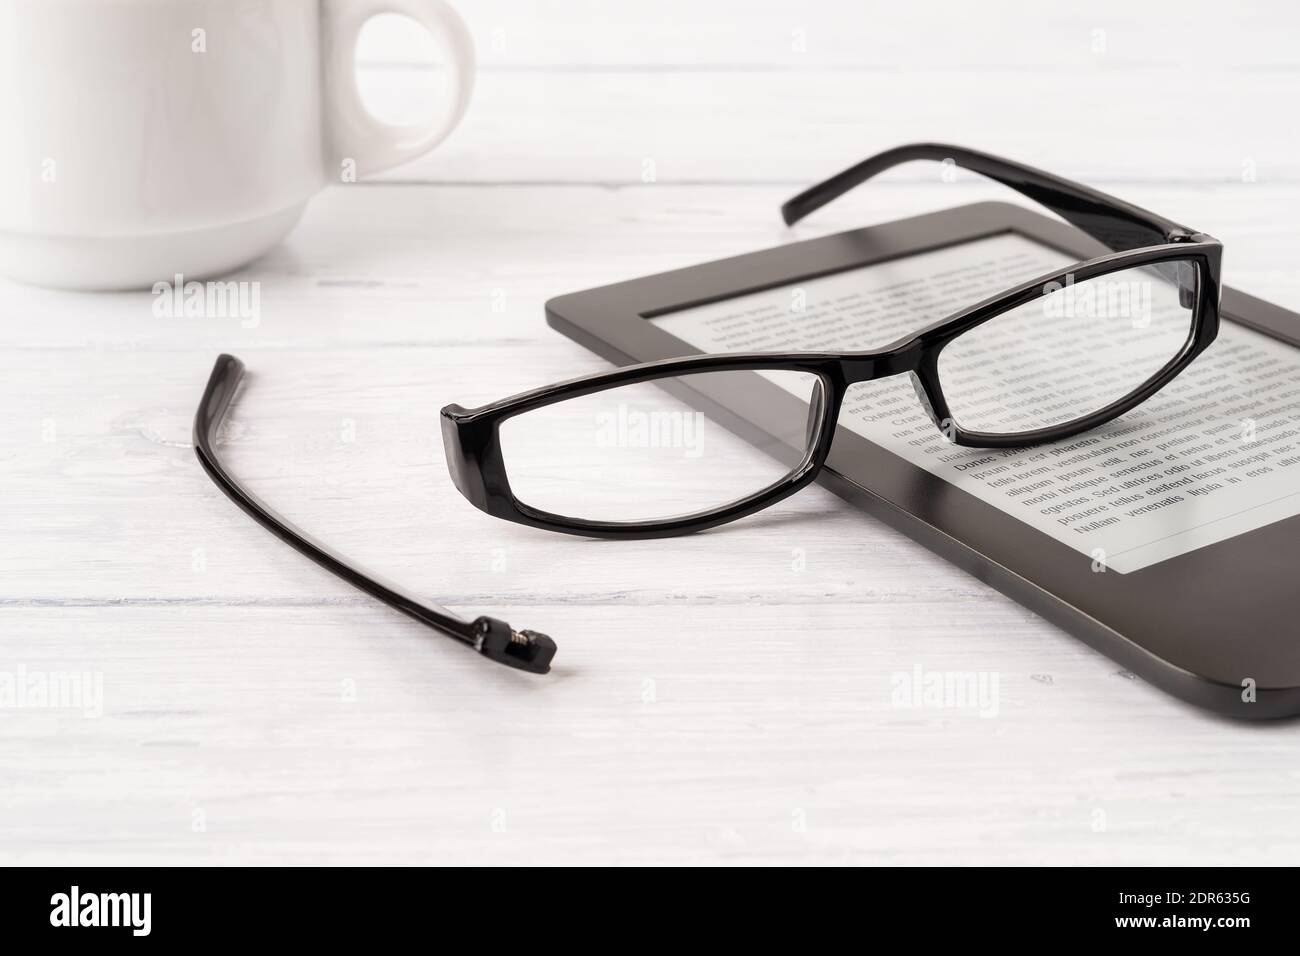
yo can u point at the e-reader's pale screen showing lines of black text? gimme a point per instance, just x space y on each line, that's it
1212 456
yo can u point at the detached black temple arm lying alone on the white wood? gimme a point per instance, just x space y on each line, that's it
492 638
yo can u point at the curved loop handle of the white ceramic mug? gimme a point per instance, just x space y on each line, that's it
354 132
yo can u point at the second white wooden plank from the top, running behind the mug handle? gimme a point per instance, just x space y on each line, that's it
796 128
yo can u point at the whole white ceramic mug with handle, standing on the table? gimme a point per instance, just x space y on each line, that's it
148 139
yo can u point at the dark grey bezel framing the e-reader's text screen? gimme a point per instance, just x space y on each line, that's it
1215 626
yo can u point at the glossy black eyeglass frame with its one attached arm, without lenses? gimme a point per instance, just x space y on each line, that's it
1139 239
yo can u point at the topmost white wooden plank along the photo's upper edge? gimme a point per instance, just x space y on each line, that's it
818 36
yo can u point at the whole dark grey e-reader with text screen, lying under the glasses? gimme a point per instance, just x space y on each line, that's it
1168 540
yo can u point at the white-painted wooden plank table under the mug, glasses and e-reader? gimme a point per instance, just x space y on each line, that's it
718 699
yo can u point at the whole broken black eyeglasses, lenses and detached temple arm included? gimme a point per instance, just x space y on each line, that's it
682 445
